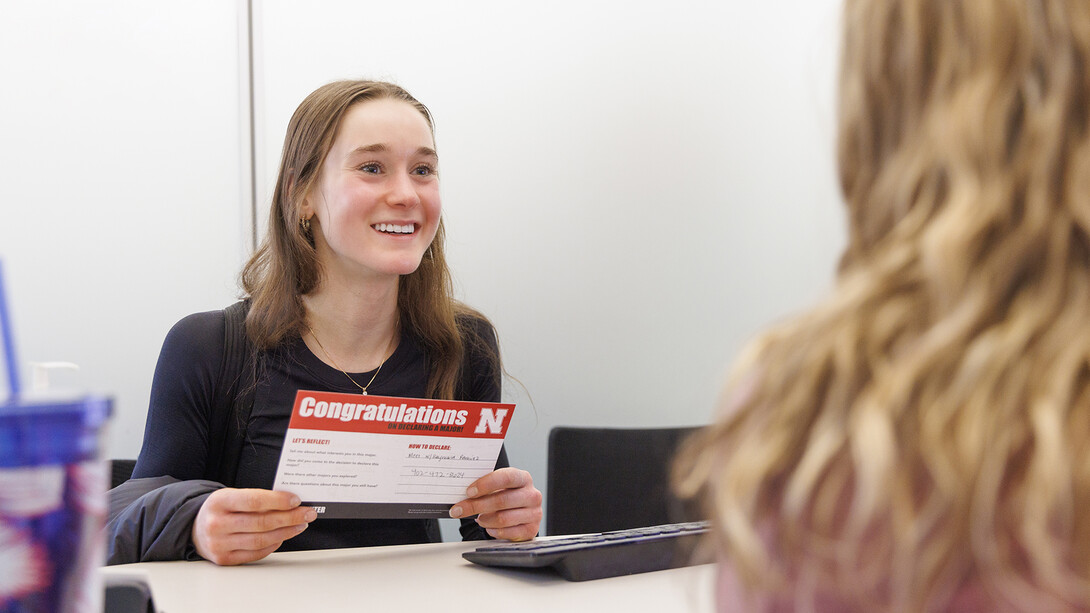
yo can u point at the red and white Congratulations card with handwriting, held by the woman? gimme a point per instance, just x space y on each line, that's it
374 456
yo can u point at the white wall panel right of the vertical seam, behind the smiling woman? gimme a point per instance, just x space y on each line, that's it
632 188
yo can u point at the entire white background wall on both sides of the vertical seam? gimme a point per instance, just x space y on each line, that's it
632 189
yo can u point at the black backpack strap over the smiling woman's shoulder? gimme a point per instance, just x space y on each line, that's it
234 398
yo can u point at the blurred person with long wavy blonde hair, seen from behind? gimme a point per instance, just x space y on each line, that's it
927 428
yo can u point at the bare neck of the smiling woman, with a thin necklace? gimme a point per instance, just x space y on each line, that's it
353 329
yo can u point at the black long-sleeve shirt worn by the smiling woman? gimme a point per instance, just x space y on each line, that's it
177 435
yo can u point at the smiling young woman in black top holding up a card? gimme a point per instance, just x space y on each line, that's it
348 293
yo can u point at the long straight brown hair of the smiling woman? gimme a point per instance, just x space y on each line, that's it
286 266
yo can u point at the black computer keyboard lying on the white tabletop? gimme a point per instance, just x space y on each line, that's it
603 555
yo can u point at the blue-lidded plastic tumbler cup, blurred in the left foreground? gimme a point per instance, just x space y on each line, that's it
53 504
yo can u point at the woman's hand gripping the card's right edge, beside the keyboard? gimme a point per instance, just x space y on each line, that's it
506 502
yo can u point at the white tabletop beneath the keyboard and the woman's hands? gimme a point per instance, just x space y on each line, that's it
407 579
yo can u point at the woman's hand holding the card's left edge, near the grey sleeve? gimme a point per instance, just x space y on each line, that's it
238 526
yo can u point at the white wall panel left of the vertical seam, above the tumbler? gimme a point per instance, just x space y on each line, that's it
120 164
